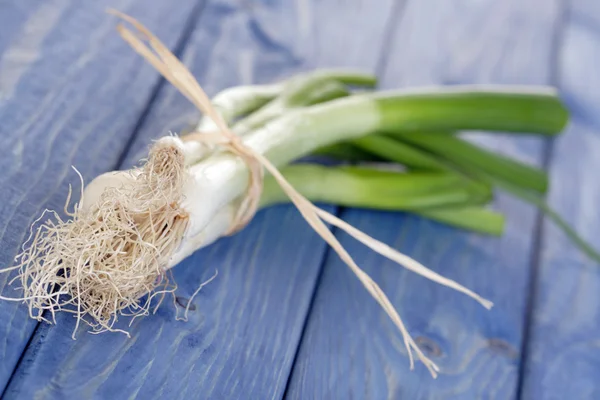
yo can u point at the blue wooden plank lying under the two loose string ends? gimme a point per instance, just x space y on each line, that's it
350 348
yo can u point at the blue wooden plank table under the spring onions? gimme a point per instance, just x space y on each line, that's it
285 317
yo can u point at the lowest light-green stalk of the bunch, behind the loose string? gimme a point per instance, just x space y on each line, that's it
441 197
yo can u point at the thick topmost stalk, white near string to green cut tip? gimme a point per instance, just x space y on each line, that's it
351 117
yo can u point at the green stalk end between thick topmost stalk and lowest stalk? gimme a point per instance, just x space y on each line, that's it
473 159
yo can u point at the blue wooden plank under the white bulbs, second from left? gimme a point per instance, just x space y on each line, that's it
241 340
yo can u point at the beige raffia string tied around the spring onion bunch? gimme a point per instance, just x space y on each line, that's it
175 72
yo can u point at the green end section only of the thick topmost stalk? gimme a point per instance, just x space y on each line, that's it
490 108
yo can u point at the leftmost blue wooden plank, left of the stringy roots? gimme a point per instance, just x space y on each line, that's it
63 103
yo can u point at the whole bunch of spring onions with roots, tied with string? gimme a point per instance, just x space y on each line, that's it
114 255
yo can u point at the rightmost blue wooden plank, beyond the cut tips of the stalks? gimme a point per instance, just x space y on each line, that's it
564 356
